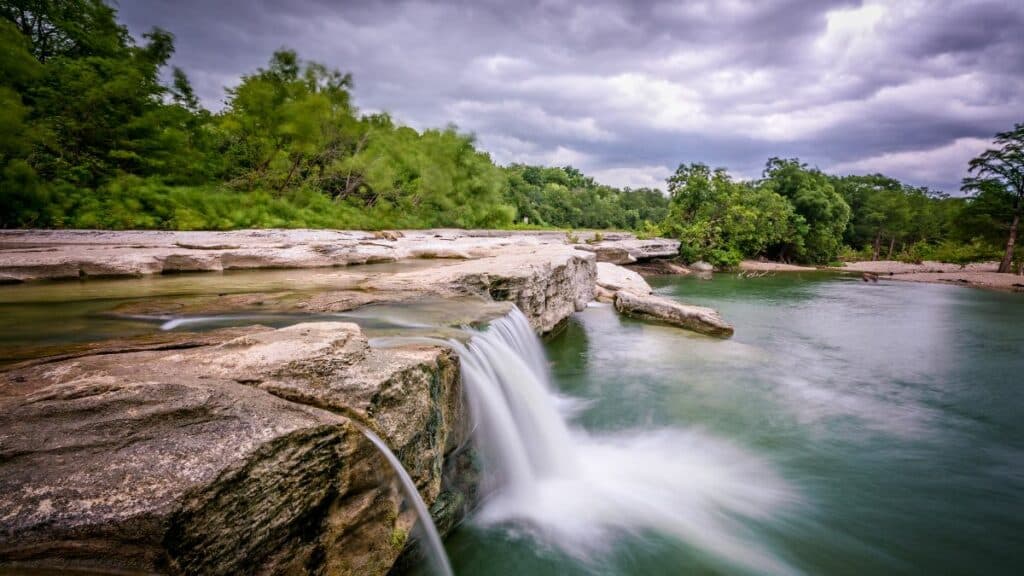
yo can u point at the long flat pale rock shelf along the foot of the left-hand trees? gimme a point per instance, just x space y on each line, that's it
27 256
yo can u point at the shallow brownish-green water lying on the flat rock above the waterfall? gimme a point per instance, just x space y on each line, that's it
40 317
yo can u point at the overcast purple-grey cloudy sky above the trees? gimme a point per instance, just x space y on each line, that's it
628 91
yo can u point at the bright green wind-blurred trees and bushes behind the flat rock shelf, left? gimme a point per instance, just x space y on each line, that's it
93 139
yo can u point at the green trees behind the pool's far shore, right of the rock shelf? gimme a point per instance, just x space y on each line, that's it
799 214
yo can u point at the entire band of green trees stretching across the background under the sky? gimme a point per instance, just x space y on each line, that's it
97 134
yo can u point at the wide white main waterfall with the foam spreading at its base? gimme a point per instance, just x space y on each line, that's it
576 490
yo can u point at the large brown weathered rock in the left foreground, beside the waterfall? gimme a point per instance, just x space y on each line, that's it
239 458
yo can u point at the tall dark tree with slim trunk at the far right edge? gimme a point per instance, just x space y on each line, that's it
1002 169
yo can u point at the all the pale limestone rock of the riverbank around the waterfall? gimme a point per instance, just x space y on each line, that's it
237 451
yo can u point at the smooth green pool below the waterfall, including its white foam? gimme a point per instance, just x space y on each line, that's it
847 429
